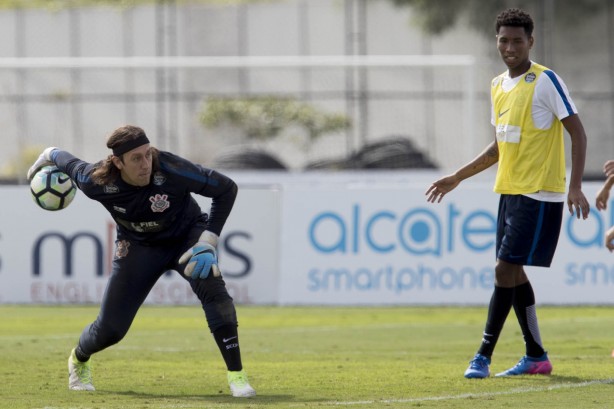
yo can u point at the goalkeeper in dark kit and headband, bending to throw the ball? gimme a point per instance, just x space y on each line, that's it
160 227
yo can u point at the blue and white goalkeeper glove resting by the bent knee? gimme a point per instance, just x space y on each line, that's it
202 257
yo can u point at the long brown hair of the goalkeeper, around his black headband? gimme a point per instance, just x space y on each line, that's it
105 171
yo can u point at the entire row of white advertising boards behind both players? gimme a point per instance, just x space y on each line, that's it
302 242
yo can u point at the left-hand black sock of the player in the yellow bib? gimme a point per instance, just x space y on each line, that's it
499 308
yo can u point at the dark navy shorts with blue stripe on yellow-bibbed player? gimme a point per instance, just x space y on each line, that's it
528 230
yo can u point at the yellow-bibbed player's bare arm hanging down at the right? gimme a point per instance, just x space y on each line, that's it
576 201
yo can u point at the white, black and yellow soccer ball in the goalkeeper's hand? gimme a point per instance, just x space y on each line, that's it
52 189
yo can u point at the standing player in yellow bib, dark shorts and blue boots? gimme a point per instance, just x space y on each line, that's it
530 107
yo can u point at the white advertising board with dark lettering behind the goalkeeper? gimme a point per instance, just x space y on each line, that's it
65 256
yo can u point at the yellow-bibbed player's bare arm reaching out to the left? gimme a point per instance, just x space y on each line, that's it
484 160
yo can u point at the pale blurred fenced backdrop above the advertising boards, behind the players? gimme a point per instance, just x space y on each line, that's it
71 76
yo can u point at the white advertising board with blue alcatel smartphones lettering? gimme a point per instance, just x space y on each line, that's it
389 246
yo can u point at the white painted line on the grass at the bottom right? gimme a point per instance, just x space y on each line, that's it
468 395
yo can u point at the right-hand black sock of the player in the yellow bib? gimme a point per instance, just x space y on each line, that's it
524 306
